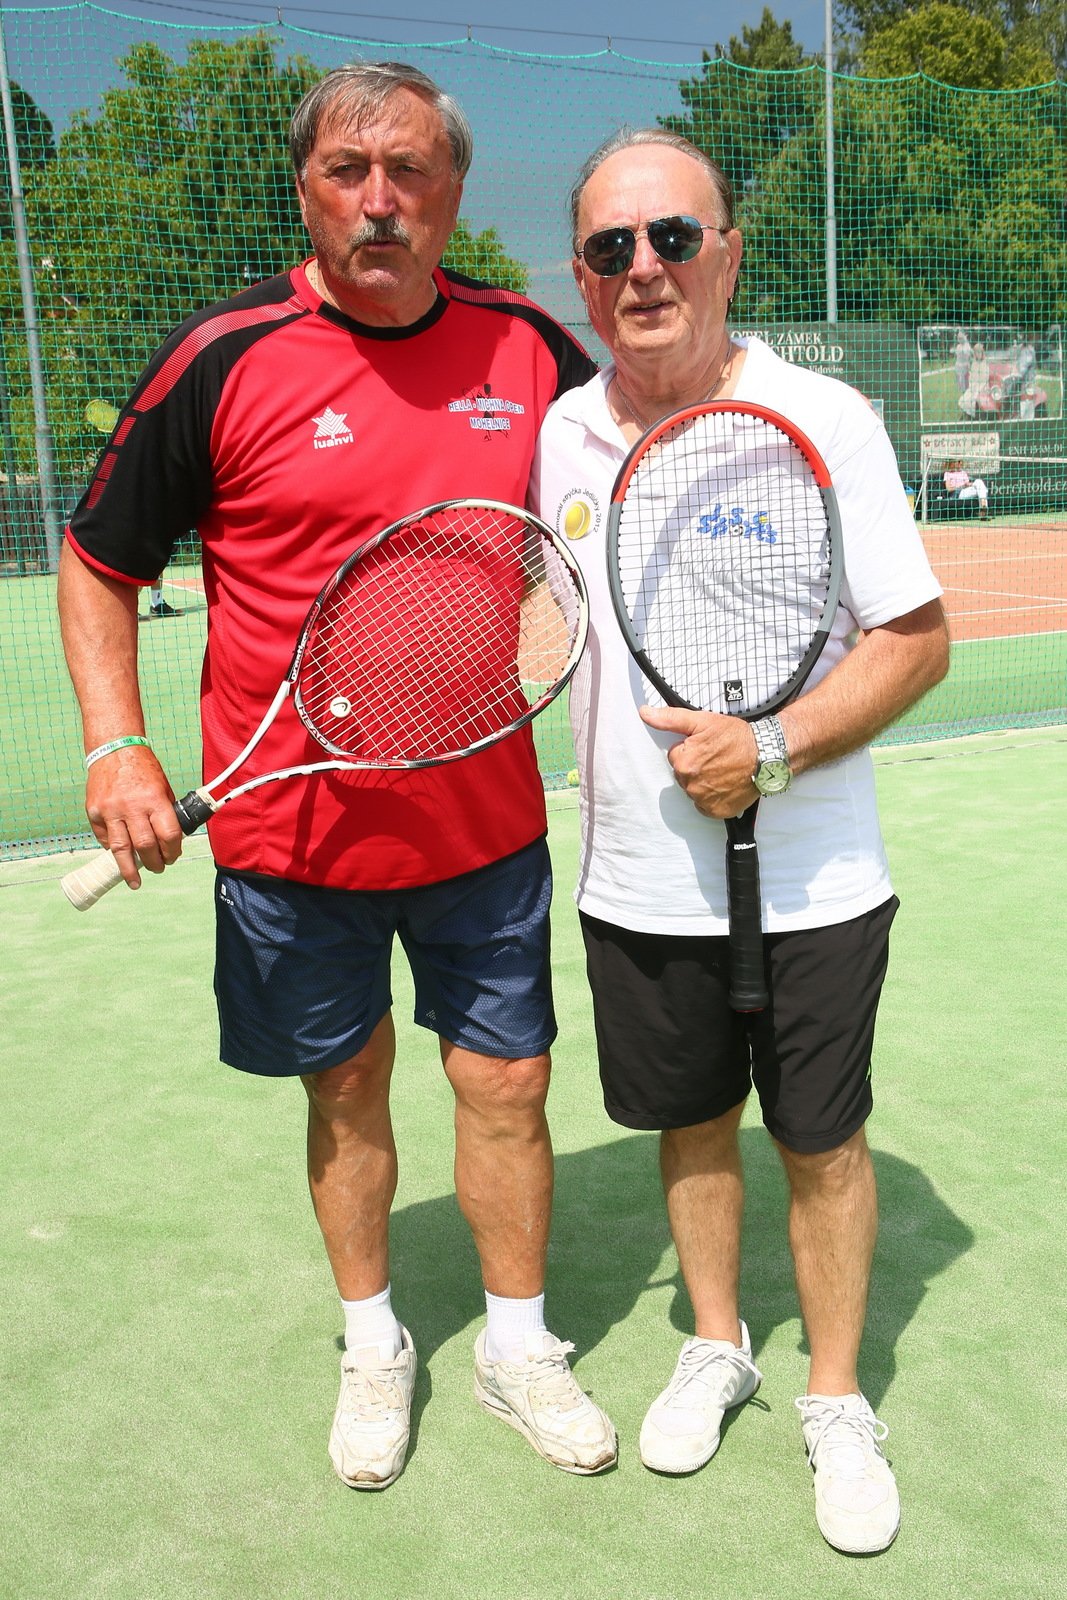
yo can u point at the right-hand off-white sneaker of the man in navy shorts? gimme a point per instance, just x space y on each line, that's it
541 1399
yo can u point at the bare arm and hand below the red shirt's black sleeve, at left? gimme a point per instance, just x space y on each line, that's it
127 796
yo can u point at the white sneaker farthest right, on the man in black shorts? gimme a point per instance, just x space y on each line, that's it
858 1508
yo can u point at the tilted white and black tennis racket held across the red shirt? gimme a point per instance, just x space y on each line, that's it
438 638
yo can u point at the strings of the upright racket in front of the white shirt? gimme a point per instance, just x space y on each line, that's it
724 559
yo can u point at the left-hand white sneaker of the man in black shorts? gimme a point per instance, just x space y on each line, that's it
681 1431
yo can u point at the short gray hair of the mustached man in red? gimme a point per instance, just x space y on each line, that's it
359 92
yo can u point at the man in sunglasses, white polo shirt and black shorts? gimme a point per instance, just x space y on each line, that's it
652 886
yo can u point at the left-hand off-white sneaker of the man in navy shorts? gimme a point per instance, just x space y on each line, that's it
370 1431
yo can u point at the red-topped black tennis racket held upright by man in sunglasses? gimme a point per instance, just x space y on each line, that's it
725 570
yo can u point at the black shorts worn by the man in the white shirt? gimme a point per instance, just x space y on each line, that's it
674 1054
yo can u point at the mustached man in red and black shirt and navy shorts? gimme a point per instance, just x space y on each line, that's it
289 425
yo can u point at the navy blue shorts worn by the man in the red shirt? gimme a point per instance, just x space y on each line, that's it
302 974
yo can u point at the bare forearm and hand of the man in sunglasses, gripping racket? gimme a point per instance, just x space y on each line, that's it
887 673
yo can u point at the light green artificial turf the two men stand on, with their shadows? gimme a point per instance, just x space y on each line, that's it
170 1334
